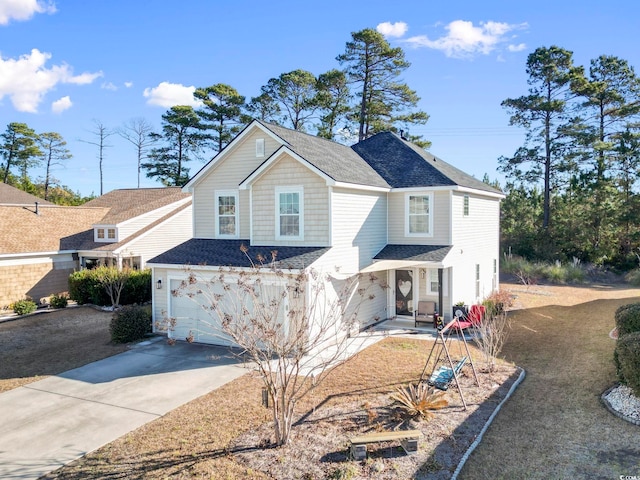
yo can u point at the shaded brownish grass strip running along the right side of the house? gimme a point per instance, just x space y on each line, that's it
554 426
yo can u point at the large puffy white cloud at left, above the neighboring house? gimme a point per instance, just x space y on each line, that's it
26 80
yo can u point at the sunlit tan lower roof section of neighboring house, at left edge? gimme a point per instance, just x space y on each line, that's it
54 228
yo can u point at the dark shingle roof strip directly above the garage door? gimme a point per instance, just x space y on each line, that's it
228 253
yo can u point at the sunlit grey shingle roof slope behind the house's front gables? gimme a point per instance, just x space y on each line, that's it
337 161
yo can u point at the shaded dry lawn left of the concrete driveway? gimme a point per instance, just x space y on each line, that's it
51 342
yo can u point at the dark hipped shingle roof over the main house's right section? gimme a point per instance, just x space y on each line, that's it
403 164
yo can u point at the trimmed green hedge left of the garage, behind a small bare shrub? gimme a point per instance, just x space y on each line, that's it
88 286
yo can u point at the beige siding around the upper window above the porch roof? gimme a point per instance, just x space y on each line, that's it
398 219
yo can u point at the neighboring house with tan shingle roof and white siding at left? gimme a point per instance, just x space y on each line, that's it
41 244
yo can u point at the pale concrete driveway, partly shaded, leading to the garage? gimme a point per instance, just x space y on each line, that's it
52 422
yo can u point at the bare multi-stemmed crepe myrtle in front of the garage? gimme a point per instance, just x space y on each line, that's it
293 326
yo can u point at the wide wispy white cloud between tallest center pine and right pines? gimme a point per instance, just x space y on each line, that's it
464 40
